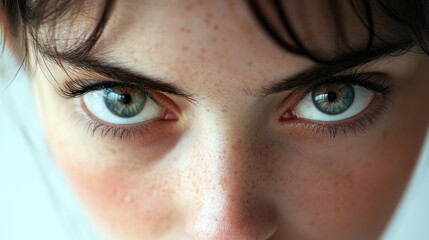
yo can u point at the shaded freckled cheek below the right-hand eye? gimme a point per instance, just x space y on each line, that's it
347 194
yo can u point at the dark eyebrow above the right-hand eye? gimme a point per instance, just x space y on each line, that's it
324 71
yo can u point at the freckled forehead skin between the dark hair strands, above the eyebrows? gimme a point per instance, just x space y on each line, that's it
187 40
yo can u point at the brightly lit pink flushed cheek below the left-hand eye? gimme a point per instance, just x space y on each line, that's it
122 202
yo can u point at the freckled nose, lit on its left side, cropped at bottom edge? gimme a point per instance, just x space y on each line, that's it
229 204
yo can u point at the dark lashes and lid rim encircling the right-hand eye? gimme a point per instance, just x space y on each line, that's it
356 124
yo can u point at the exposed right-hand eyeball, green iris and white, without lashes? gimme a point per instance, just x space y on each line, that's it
332 102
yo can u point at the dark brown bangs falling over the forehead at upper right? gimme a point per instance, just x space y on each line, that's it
354 28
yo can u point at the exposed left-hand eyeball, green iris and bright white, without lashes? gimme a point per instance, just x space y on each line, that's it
122 105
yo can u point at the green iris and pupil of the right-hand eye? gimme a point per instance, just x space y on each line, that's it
333 98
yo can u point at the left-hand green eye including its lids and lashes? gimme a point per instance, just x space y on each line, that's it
119 109
